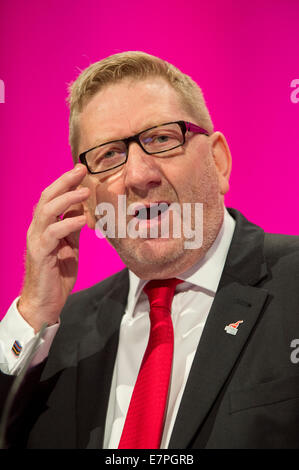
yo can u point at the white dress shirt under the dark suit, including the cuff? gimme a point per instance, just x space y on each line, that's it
190 309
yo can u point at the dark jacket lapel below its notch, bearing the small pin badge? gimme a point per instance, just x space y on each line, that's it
216 355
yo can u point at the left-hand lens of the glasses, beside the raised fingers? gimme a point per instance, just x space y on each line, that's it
106 156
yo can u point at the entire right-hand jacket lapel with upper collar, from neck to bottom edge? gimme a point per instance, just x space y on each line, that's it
237 298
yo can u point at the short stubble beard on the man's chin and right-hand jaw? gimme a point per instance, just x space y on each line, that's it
160 258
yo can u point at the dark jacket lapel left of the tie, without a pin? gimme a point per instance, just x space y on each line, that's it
96 357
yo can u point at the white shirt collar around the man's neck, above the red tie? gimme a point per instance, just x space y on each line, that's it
206 273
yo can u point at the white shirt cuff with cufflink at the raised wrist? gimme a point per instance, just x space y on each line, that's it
17 338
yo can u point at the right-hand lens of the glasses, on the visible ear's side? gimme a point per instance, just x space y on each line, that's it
162 138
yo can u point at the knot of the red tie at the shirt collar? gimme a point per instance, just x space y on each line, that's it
160 292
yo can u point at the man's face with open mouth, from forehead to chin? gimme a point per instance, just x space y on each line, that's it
196 172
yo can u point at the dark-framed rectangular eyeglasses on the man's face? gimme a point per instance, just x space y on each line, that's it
155 140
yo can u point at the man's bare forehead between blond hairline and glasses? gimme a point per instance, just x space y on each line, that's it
127 107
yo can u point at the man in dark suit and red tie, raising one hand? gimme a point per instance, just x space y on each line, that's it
141 130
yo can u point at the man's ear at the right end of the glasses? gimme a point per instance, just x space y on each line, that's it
222 158
